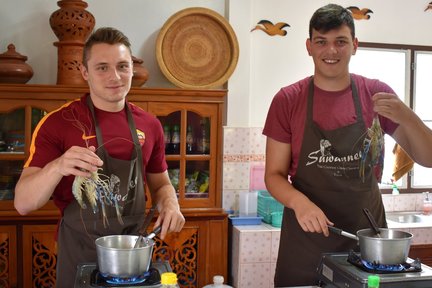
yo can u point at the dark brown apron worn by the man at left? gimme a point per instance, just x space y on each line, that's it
79 227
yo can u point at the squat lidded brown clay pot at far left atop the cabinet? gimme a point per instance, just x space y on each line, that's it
13 68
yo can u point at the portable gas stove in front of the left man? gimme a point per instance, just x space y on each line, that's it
89 276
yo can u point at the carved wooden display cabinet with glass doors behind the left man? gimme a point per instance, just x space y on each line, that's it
197 253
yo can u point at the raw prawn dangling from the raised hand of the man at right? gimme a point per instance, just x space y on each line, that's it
373 144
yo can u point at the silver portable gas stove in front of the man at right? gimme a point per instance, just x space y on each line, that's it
341 270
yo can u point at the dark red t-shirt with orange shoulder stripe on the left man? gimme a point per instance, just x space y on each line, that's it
72 123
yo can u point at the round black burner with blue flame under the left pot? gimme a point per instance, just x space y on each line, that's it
151 277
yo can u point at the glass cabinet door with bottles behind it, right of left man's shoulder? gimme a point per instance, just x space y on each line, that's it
190 152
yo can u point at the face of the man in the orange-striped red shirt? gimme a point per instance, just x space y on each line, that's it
109 74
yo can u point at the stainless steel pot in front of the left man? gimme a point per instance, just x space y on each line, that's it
117 256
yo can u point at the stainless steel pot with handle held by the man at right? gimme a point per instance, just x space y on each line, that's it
388 247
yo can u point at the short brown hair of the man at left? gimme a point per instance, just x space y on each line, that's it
106 35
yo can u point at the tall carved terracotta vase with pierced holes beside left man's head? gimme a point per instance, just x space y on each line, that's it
72 25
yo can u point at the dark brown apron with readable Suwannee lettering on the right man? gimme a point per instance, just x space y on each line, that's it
328 174
